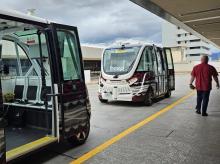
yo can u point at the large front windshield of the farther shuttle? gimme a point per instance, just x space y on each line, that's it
118 61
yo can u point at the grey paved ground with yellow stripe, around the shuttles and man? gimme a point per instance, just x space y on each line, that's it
170 133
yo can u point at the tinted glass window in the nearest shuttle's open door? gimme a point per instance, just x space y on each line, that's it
69 55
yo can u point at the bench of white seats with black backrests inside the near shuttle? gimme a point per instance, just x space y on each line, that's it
28 109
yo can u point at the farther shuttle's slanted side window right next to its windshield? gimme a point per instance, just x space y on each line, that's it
146 62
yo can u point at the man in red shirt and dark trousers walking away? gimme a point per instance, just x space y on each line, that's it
203 74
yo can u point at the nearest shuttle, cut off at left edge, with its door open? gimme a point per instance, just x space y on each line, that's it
43 96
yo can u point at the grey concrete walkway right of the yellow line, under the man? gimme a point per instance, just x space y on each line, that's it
178 136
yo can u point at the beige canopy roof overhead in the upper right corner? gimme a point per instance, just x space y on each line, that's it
202 18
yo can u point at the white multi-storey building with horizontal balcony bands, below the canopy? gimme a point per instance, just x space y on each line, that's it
193 47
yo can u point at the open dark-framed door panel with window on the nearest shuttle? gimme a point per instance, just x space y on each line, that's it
73 100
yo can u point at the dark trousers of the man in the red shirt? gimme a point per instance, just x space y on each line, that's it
202 100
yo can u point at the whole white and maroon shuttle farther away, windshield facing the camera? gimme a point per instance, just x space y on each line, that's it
136 72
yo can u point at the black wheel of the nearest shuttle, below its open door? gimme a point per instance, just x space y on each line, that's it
81 136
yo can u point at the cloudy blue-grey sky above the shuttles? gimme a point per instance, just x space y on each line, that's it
98 21
